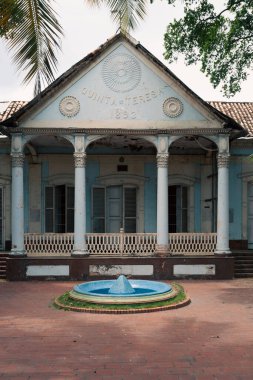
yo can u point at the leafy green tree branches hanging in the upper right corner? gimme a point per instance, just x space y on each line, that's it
221 40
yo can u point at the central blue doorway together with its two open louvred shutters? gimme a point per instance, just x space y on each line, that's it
114 207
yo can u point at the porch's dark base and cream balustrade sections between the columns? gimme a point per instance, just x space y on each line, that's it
49 256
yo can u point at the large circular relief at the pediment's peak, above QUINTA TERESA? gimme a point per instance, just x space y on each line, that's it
121 73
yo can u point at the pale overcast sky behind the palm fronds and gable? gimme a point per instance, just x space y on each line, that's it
86 28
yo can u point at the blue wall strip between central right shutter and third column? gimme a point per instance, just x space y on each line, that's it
150 191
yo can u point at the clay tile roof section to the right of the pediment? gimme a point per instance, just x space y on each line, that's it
239 111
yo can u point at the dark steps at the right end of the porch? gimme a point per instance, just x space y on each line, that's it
243 264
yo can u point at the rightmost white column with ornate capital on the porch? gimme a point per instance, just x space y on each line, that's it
223 204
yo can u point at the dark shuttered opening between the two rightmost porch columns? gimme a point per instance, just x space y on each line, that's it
178 205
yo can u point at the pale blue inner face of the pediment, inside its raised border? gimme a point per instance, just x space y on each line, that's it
120 87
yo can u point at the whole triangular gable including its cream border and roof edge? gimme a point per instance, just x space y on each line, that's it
120 85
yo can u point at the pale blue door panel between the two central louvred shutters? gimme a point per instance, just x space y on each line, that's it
114 202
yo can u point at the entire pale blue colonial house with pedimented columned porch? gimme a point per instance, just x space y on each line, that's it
118 167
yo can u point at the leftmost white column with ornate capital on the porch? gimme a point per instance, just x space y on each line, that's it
17 205
